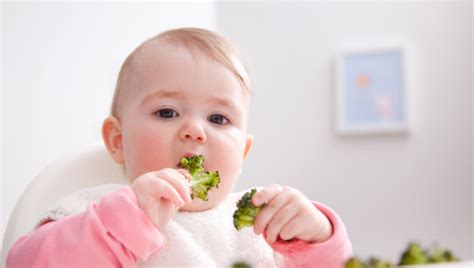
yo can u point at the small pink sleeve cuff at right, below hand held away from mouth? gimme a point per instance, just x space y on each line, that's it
329 254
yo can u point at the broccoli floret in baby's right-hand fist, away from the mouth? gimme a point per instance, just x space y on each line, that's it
246 211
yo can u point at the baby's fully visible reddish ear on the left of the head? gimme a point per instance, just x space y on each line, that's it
113 138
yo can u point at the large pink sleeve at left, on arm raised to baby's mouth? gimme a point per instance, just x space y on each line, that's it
113 233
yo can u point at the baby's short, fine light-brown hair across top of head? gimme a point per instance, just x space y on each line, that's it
196 41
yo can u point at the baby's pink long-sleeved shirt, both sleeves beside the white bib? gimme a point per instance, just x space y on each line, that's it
102 237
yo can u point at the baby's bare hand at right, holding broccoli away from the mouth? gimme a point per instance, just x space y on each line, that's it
289 214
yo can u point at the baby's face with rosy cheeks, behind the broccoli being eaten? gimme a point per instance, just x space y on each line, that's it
180 106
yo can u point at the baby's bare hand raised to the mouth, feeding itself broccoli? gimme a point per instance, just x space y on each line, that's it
161 193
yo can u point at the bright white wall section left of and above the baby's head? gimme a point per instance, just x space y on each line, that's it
60 62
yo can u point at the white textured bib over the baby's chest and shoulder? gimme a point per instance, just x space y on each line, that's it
192 239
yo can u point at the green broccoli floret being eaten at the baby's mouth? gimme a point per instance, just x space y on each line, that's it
202 180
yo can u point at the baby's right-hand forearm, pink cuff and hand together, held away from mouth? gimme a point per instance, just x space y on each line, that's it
307 234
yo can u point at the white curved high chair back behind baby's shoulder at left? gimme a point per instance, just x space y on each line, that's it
88 167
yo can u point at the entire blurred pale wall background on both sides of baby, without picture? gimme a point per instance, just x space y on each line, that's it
59 63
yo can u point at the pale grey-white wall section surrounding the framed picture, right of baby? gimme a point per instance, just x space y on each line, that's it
387 189
